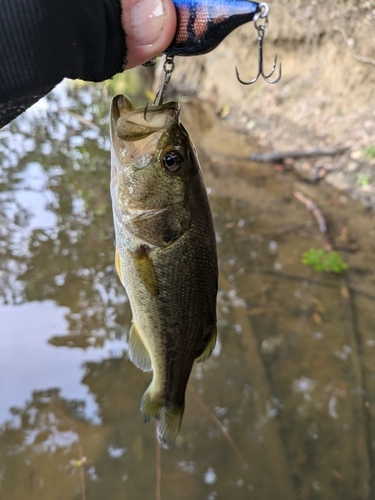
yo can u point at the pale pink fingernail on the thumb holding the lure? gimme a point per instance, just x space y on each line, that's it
148 20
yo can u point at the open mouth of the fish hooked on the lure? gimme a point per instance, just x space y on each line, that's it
131 124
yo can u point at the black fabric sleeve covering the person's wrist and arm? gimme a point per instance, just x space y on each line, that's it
43 41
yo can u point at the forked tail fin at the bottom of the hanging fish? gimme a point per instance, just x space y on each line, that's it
169 418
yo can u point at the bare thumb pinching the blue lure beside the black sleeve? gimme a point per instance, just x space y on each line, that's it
150 26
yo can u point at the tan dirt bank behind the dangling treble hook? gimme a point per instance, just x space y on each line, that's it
326 96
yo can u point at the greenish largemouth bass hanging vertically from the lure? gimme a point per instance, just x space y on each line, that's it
165 253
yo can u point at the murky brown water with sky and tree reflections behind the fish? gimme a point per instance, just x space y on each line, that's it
284 408
